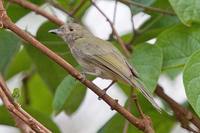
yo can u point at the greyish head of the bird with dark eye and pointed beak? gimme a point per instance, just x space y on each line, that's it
71 31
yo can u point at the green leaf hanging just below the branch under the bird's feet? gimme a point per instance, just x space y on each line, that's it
69 95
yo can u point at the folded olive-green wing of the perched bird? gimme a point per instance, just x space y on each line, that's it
103 52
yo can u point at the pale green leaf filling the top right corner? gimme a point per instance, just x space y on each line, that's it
187 11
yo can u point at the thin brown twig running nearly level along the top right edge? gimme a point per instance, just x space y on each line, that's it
153 9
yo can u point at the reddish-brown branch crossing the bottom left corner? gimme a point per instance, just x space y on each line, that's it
17 112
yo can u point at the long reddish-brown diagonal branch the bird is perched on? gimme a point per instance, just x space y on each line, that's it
7 23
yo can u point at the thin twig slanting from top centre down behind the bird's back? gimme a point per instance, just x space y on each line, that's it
121 42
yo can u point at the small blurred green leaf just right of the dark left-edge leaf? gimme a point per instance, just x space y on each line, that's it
21 62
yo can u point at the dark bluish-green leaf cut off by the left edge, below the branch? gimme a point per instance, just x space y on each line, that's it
9 46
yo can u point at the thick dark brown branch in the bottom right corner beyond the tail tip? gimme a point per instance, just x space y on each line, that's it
184 116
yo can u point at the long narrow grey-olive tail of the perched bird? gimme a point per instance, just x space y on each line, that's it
135 82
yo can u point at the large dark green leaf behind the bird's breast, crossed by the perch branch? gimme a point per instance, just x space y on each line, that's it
51 72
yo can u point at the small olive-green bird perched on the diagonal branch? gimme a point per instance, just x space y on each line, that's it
99 57
